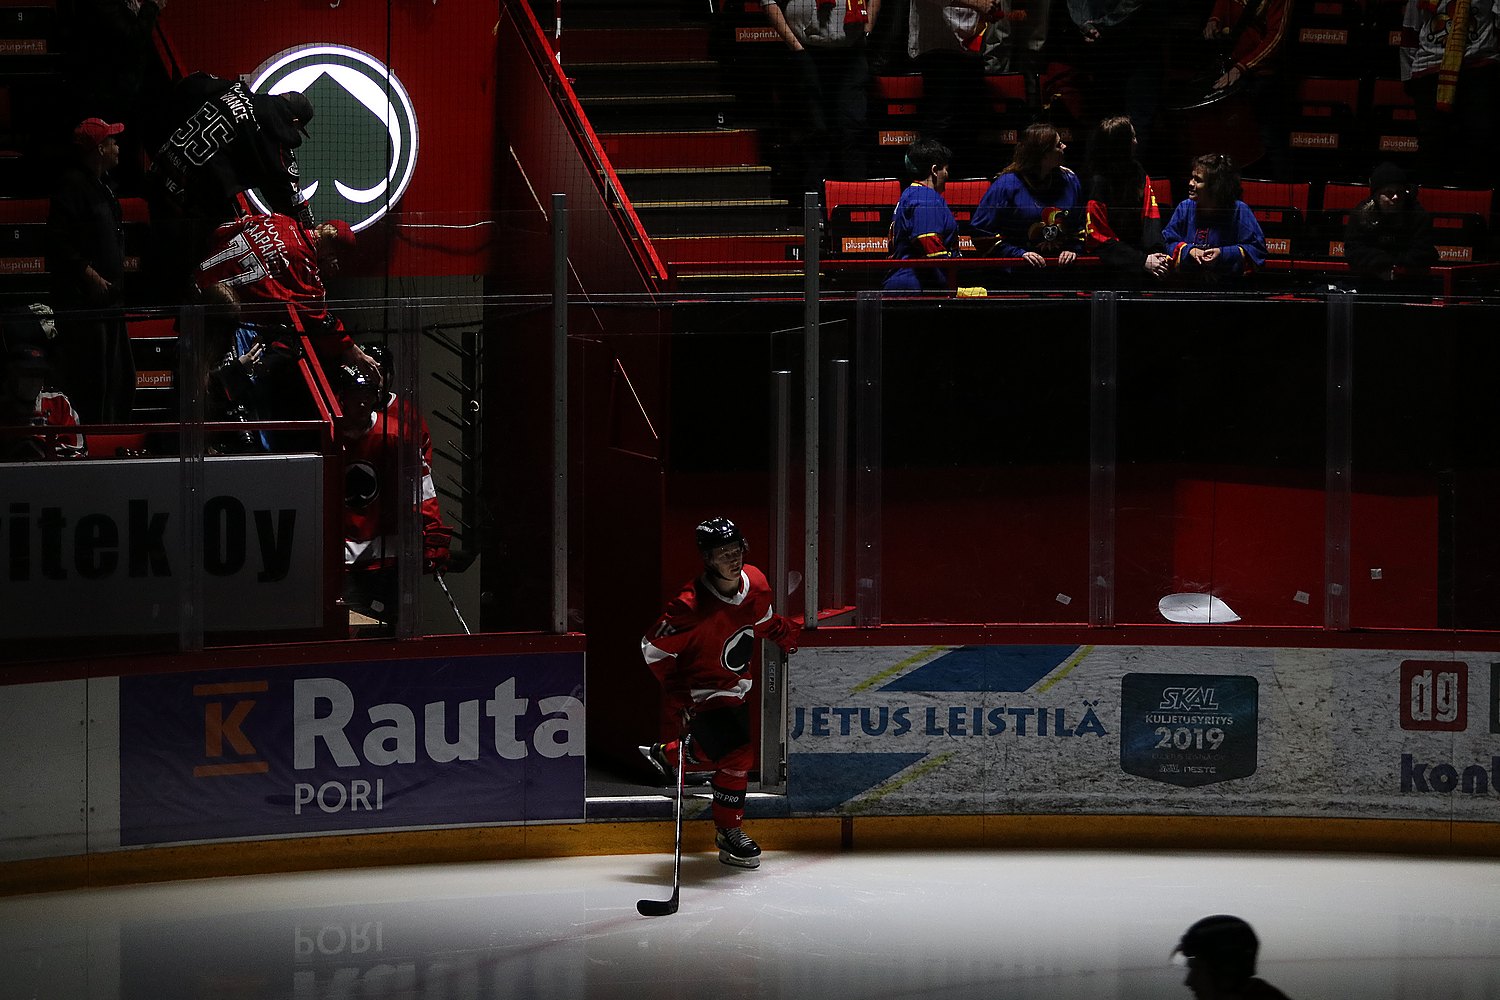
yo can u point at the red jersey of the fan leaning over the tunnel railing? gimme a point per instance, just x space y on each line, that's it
272 260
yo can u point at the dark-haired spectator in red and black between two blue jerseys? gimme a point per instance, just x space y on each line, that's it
1124 223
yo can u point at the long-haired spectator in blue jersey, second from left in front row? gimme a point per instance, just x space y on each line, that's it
1034 209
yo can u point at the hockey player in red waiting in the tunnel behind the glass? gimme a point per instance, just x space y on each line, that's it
373 428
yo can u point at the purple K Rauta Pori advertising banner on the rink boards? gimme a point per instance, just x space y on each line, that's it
310 749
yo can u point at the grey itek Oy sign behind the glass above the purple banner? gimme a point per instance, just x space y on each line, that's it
98 548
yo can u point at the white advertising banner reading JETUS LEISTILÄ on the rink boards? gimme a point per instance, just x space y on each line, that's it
1145 729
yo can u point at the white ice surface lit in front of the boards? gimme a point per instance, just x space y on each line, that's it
865 926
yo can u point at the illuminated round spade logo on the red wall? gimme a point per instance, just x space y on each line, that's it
362 146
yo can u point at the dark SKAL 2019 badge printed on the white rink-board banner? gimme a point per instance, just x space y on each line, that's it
1189 729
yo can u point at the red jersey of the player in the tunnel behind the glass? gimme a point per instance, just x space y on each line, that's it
371 490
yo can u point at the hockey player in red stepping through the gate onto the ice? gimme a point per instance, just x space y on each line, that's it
701 650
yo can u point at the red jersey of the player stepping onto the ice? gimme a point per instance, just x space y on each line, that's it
704 644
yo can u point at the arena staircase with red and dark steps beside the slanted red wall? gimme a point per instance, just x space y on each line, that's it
662 83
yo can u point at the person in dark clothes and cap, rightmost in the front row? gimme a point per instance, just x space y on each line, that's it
1390 230
